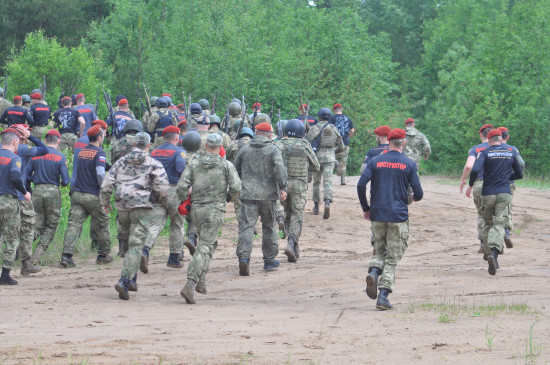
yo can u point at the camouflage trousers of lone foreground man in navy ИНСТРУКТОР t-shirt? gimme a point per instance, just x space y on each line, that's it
391 239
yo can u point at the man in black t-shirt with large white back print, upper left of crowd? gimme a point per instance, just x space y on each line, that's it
69 122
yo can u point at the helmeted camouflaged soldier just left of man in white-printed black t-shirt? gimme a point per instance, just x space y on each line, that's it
329 142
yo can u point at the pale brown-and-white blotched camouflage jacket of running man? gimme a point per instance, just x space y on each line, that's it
138 180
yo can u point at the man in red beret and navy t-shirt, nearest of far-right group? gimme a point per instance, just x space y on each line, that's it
497 162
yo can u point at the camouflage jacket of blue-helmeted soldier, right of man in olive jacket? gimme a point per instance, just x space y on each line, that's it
298 157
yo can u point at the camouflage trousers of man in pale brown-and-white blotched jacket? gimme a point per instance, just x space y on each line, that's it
134 223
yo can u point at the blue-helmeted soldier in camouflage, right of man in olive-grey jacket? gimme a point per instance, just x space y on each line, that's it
298 157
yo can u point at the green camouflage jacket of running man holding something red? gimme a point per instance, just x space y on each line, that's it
211 178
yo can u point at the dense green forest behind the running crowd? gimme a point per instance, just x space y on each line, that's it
453 65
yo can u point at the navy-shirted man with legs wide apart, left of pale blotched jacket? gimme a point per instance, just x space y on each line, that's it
85 200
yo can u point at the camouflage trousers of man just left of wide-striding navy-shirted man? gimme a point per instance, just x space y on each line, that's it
46 199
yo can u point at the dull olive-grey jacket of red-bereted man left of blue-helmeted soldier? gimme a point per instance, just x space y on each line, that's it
262 171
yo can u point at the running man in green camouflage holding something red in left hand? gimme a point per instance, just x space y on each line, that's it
212 179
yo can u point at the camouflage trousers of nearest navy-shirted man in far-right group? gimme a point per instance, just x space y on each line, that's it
495 210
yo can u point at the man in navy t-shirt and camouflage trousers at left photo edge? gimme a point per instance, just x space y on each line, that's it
11 185
